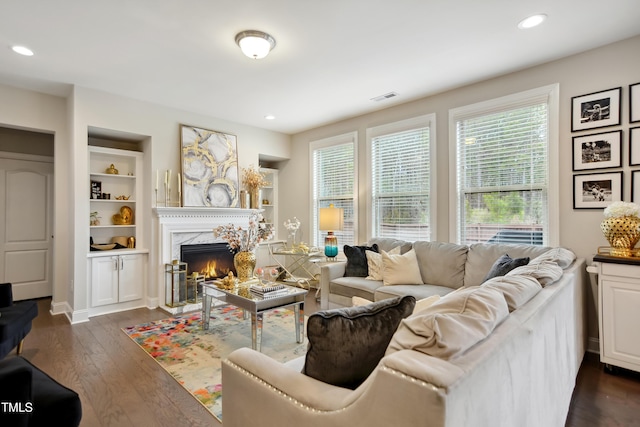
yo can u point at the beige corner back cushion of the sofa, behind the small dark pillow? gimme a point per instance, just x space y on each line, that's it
481 257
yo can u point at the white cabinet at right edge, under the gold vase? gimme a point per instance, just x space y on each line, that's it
619 312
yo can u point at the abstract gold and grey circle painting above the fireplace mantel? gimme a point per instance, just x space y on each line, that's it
210 176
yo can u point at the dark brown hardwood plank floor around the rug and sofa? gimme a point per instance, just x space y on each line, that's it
120 385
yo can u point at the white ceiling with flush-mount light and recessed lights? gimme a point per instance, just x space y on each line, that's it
331 56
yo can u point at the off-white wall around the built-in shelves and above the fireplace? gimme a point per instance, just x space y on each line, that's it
69 120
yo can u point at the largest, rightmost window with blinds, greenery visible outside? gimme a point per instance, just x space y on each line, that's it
504 153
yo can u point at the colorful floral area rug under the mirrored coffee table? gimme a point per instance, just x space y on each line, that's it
193 356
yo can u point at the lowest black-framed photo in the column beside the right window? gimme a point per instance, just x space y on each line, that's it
597 190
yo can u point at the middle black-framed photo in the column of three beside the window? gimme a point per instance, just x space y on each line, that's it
597 151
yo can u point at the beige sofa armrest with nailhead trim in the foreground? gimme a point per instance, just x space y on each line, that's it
279 395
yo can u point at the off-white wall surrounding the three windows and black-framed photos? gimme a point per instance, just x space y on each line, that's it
599 69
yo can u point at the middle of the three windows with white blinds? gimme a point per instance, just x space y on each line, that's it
400 166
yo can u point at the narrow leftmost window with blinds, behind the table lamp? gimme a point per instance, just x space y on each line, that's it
333 182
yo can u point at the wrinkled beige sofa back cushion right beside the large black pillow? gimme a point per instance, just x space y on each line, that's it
453 324
